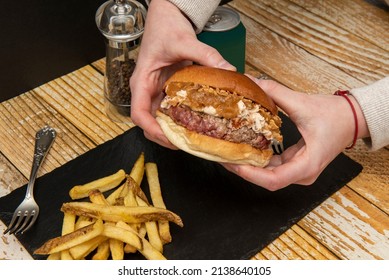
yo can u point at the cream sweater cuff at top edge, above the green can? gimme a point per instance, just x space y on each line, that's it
198 11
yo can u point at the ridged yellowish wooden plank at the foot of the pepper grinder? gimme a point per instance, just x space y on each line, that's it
78 96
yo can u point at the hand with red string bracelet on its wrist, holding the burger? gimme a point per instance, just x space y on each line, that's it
326 125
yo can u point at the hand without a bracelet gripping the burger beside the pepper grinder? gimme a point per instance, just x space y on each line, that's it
169 42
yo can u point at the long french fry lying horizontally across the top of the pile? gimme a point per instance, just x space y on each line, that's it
121 213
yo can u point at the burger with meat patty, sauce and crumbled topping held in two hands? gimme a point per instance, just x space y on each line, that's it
219 115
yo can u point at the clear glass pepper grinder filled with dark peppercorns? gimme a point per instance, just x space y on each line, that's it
122 24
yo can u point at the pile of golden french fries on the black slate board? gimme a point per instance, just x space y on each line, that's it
110 226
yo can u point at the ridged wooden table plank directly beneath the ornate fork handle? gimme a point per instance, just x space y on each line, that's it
21 117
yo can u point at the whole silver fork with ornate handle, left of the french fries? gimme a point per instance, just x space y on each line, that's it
27 212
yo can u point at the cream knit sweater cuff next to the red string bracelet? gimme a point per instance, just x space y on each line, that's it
374 101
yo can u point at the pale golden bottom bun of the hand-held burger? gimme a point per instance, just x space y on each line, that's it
211 148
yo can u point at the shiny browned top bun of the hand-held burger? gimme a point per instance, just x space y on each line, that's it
226 80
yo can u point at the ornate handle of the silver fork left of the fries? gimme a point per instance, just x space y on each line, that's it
44 139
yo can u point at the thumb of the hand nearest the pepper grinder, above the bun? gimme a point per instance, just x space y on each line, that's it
206 55
